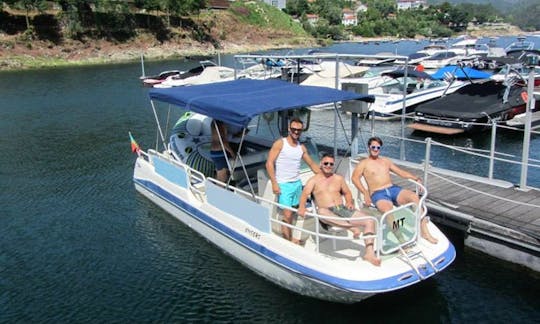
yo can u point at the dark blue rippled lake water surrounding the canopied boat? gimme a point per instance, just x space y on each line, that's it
78 244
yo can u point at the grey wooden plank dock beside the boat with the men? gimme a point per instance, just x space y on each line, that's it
497 217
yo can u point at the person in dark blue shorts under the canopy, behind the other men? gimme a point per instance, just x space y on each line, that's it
216 150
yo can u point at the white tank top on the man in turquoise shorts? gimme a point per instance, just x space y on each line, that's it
288 162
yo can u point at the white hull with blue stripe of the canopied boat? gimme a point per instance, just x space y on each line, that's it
293 267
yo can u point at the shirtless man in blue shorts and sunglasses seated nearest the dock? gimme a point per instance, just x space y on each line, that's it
376 170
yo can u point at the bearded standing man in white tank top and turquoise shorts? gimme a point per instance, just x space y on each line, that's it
283 167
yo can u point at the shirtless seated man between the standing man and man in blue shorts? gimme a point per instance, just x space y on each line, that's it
328 189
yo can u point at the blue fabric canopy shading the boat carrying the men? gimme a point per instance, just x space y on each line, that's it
237 102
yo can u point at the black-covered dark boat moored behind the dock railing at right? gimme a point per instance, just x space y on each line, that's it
472 108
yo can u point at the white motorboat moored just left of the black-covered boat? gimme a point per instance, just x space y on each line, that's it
405 89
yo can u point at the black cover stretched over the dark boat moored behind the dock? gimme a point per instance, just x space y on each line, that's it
474 100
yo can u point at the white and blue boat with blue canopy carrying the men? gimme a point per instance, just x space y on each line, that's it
241 216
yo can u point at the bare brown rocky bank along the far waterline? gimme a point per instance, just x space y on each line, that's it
17 53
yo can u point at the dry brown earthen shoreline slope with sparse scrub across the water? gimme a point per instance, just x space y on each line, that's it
224 35
